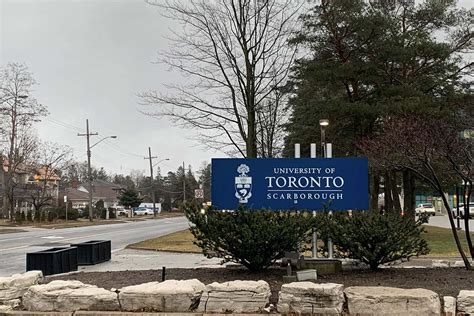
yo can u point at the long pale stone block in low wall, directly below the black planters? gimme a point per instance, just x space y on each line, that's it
68 296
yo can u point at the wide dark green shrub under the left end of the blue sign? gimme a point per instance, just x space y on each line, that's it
253 238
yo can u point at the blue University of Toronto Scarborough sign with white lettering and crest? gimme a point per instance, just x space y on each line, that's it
287 184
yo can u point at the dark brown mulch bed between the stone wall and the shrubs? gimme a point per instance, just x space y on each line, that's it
442 281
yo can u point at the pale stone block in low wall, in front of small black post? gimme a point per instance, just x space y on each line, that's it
167 296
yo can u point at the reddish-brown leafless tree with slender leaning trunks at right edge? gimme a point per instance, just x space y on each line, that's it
433 151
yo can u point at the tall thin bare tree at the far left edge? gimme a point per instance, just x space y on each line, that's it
18 110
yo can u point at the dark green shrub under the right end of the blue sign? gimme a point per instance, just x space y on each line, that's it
376 239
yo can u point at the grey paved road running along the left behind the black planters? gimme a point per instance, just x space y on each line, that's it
13 247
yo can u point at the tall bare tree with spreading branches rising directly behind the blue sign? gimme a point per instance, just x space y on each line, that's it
233 55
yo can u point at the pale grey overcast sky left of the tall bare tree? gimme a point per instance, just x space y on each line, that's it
90 58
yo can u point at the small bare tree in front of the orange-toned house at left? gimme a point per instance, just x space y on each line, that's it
52 160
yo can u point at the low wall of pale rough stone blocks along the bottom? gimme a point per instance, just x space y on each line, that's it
242 297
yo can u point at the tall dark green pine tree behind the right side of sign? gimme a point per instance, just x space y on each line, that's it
370 60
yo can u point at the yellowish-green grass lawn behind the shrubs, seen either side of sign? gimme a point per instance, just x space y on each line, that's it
440 240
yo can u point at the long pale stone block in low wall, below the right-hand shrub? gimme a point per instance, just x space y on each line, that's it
372 300
